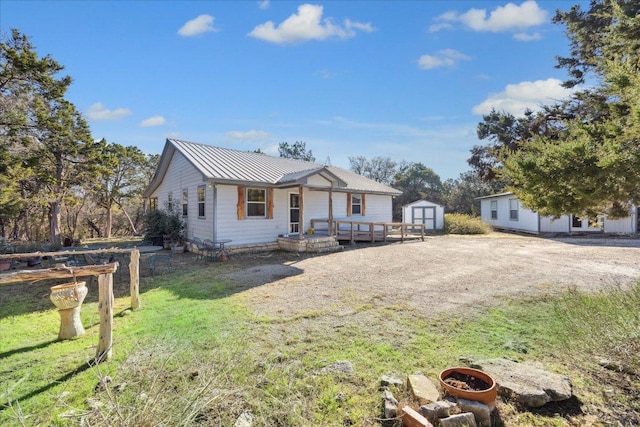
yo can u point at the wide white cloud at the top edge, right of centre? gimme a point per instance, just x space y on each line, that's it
509 17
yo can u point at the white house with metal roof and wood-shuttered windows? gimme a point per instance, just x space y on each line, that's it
252 198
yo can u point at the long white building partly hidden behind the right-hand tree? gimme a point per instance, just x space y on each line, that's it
504 211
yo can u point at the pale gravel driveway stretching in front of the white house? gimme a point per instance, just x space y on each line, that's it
438 274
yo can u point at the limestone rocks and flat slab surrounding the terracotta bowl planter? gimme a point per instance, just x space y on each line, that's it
528 385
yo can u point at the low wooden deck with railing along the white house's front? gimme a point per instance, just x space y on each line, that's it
362 231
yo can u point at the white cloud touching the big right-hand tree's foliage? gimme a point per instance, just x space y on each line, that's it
516 98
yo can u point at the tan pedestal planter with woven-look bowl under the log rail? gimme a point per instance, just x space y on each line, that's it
68 298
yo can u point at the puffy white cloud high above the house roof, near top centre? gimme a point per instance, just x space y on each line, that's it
307 24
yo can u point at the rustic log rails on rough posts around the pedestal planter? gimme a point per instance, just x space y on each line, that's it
105 285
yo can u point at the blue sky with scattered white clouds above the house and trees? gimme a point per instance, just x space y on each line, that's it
406 80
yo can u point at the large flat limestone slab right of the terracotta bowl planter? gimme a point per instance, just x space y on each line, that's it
530 385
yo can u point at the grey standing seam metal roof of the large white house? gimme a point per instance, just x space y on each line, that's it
225 164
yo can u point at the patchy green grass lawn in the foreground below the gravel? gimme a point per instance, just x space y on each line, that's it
195 355
